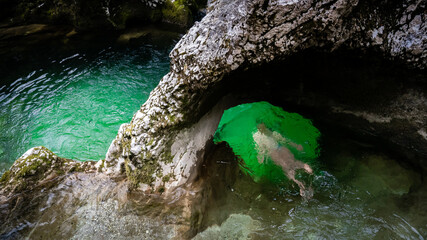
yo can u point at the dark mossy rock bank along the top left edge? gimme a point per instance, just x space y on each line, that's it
92 14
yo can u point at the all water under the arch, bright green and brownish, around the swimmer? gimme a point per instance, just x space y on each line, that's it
360 191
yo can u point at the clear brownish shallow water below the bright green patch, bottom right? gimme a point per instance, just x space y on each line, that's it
360 192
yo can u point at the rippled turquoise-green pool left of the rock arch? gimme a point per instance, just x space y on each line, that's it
74 101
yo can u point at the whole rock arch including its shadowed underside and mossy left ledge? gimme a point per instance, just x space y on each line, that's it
324 52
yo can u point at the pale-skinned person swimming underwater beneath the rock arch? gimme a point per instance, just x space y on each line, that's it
270 143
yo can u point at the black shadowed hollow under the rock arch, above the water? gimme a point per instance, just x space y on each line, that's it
361 95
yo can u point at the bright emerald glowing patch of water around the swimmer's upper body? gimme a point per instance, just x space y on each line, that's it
239 127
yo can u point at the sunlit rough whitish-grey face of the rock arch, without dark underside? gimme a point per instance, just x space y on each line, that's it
167 135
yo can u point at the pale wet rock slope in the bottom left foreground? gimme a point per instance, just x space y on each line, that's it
86 206
